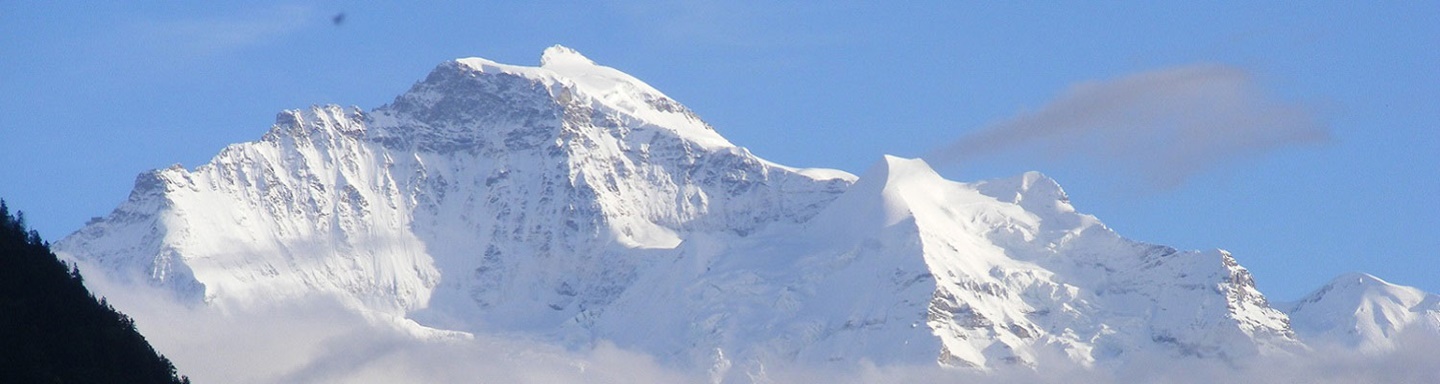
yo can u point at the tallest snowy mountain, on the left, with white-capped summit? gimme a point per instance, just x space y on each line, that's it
487 195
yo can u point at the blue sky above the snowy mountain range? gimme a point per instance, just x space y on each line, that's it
99 93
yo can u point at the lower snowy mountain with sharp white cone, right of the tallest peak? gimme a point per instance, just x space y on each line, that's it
911 268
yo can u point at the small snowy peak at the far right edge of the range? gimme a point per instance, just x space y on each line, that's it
1363 313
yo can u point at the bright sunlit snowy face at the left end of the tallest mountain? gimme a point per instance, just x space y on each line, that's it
310 206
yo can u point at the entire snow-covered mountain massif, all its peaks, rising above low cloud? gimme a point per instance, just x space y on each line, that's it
575 204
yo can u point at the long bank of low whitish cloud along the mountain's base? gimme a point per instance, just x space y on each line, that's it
322 340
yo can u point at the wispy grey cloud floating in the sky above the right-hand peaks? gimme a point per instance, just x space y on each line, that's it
1158 127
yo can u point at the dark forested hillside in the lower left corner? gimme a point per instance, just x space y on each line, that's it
53 330
